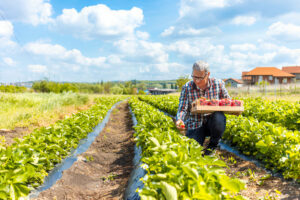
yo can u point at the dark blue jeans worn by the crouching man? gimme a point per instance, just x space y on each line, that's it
213 127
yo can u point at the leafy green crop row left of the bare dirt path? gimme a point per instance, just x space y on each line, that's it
25 163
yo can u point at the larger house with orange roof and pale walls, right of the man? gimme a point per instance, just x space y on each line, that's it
271 75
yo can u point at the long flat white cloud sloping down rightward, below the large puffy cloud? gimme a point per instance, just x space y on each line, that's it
59 53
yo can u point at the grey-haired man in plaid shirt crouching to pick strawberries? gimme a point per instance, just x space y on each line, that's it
201 125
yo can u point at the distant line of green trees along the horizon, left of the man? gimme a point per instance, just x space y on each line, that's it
121 87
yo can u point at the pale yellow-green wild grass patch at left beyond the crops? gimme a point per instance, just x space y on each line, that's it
38 109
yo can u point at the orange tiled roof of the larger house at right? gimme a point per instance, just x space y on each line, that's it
269 71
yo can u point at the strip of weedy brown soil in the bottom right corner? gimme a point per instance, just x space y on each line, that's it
259 183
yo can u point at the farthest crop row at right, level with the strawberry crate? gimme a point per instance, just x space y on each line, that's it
283 113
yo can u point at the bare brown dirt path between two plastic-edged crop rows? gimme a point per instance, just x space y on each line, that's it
103 170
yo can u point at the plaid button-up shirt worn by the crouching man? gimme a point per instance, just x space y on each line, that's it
190 92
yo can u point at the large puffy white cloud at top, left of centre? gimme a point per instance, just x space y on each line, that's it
99 21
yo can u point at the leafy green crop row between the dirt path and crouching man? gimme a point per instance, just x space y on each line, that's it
175 166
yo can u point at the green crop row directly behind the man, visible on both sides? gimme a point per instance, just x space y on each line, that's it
277 147
